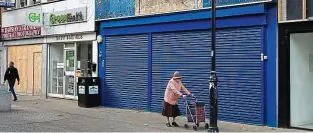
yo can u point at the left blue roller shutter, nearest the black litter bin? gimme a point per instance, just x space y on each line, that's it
126 71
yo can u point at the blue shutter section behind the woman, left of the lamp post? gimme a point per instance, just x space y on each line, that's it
186 52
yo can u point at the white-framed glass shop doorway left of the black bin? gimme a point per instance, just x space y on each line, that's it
62 71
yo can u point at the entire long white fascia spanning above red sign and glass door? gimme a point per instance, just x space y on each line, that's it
19 17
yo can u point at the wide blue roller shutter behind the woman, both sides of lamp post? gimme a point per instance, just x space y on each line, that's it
239 70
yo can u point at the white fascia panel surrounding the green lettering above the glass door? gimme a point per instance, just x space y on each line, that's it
70 28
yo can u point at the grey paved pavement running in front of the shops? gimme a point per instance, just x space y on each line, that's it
33 114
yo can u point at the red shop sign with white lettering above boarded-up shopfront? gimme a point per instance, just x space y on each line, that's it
20 31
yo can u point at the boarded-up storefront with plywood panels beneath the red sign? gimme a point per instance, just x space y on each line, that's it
23 42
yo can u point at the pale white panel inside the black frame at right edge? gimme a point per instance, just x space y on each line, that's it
301 79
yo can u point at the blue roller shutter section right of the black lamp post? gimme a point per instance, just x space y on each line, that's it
239 69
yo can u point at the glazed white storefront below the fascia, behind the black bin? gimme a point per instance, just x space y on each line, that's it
70 57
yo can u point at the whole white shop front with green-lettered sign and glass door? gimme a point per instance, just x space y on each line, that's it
72 49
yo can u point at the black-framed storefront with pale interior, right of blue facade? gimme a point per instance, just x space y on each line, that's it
295 74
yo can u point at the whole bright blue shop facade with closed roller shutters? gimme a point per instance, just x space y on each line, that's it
138 55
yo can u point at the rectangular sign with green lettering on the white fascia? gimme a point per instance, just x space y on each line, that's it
70 16
